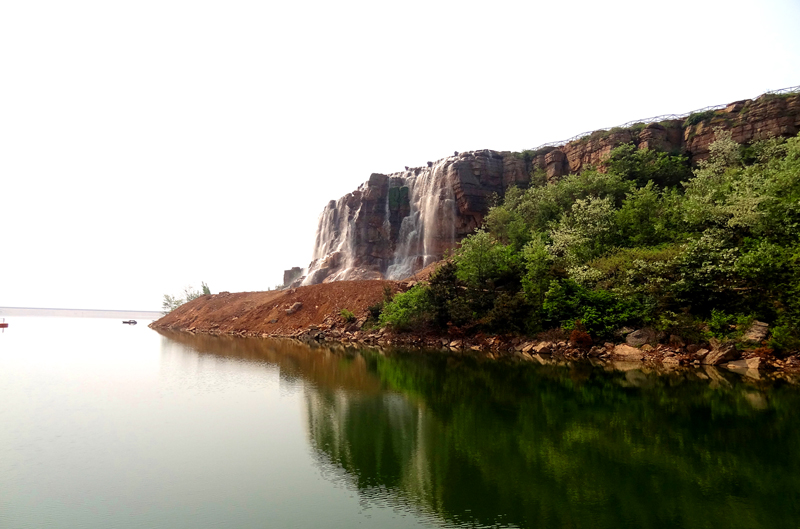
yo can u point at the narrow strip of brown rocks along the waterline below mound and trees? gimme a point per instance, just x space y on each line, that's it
639 347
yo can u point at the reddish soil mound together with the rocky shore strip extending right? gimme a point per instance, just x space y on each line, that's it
313 314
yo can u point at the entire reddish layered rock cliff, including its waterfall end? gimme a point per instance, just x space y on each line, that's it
395 224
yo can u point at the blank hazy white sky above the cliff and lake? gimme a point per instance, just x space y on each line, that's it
149 145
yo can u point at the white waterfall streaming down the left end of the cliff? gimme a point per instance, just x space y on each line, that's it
354 238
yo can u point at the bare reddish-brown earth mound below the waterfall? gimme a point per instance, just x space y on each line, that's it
275 312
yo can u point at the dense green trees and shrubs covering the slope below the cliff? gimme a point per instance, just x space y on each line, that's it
642 240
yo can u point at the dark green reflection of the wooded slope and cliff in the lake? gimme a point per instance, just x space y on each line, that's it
493 444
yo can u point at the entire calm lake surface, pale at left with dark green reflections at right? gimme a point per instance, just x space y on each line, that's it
105 425
